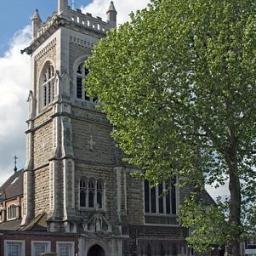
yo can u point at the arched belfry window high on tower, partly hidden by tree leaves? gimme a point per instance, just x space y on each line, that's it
81 74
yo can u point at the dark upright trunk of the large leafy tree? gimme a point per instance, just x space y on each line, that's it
235 199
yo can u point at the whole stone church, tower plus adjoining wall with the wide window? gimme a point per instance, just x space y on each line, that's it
73 172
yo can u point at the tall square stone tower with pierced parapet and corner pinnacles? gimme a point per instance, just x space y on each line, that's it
68 140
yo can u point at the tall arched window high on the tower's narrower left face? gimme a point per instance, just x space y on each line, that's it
47 84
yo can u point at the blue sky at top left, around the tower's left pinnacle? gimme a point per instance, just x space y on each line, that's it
15 14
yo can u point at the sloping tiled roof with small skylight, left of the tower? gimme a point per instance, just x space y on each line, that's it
13 187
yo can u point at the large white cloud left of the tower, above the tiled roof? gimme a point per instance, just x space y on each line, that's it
14 85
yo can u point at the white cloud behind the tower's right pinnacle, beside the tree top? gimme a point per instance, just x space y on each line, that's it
124 8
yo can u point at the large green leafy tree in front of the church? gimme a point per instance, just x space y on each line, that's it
178 83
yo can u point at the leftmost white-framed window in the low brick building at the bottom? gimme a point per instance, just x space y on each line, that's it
14 248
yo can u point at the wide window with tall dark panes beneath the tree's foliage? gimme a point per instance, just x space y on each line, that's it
160 199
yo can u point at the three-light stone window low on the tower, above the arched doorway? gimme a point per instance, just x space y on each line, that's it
91 193
